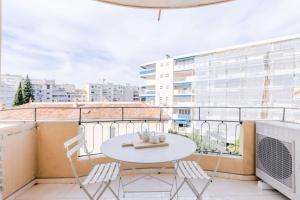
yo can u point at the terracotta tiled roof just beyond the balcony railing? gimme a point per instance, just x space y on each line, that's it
101 111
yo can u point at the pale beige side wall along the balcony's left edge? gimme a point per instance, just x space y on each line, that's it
19 156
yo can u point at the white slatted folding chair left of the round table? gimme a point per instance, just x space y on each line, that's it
100 173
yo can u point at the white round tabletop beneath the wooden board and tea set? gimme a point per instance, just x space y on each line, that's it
179 147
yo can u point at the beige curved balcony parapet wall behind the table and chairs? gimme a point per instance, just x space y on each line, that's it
52 161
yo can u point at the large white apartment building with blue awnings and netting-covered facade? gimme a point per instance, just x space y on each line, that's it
265 73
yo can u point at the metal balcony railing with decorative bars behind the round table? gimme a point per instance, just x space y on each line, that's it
102 123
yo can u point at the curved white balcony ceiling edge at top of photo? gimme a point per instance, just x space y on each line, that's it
163 4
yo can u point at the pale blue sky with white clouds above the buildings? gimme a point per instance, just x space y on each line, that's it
84 41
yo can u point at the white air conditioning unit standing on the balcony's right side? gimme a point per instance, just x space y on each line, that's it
278 156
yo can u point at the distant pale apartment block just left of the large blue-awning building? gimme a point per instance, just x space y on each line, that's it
112 92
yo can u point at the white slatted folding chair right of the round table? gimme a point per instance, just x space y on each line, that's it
191 170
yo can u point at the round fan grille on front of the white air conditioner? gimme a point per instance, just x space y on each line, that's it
275 158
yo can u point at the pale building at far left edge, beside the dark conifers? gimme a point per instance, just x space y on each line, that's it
8 88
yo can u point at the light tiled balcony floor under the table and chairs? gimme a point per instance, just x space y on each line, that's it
220 189
